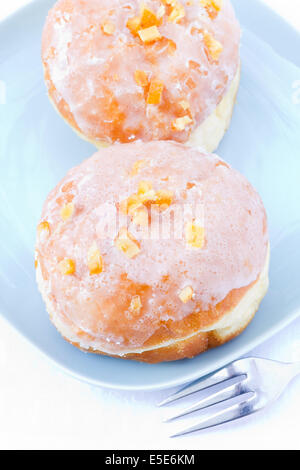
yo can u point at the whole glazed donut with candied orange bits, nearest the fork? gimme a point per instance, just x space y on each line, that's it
152 251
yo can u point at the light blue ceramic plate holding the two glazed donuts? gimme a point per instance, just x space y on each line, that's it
37 148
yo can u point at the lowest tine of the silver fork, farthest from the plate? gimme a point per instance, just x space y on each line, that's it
232 412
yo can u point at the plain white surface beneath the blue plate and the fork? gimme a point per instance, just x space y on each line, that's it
40 407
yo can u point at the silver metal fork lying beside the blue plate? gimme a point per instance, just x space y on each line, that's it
240 389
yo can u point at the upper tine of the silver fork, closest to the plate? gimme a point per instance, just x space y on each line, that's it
197 386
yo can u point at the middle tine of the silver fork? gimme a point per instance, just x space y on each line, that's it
230 388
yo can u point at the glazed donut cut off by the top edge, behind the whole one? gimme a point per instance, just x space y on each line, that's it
128 70
